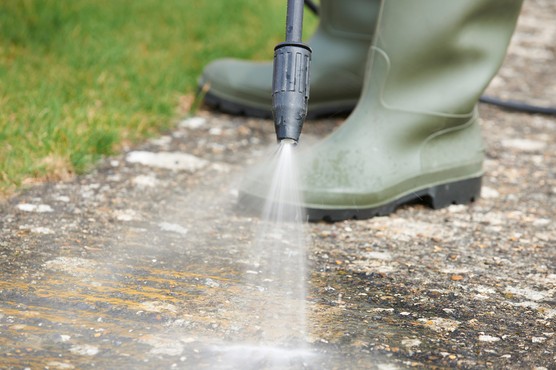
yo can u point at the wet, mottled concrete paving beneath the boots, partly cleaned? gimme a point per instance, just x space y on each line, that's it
141 263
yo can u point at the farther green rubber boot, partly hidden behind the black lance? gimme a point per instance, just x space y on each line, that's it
340 45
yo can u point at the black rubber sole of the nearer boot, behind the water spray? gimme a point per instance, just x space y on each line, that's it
438 196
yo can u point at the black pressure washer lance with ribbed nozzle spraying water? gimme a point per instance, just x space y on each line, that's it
290 84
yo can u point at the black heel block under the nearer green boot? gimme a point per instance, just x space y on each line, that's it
458 192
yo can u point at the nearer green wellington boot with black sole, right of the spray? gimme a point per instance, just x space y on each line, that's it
414 135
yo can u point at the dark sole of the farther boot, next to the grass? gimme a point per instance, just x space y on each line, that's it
238 109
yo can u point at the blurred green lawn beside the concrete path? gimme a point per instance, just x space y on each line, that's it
80 79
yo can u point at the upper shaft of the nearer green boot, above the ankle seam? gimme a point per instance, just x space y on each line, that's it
437 56
